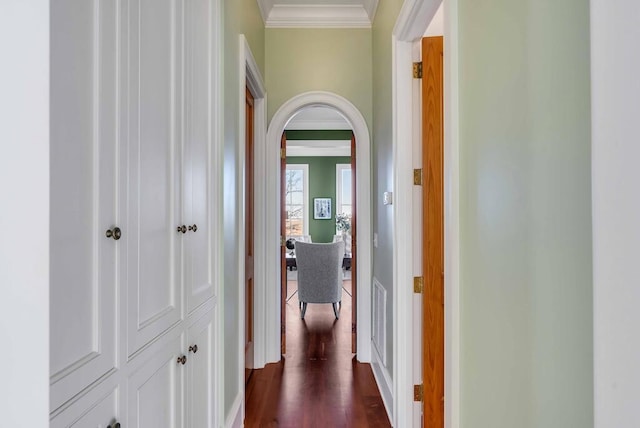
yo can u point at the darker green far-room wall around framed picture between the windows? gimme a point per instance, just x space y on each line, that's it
322 184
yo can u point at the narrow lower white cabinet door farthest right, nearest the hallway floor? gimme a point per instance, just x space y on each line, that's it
200 403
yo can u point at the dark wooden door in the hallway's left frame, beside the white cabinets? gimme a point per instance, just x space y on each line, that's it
249 246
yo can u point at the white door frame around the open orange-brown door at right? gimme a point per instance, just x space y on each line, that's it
411 25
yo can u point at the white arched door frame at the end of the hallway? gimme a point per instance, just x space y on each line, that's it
270 222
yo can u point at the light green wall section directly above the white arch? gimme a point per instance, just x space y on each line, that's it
334 60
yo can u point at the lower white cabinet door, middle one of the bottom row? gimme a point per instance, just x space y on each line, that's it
155 390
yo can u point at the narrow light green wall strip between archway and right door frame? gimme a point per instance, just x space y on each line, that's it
382 157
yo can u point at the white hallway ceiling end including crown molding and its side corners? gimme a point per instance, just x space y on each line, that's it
318 13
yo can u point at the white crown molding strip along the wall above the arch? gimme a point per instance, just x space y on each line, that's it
318 16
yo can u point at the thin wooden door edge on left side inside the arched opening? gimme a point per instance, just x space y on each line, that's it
283 249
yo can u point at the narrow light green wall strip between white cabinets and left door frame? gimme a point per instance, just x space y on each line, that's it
240 17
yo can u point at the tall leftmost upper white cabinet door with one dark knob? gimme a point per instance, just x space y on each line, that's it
83 194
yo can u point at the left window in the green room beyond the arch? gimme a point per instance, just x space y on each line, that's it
297 199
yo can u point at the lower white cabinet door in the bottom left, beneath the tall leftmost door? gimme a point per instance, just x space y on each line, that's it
88 414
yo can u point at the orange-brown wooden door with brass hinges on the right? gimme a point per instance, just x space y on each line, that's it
433 233
